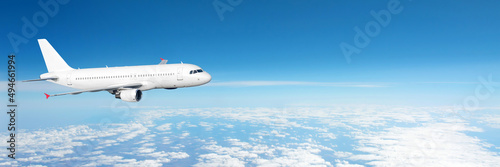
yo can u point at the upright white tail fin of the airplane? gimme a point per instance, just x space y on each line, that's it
53 60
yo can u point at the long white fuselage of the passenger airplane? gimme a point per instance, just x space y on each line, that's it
169 76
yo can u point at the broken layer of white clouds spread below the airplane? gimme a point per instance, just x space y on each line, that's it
294 136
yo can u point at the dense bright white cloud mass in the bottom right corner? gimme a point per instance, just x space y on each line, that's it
436 144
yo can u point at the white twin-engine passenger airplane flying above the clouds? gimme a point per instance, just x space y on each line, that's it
126 83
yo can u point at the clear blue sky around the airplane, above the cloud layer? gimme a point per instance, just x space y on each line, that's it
431 53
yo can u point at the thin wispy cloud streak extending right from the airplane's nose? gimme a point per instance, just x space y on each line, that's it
299 83
